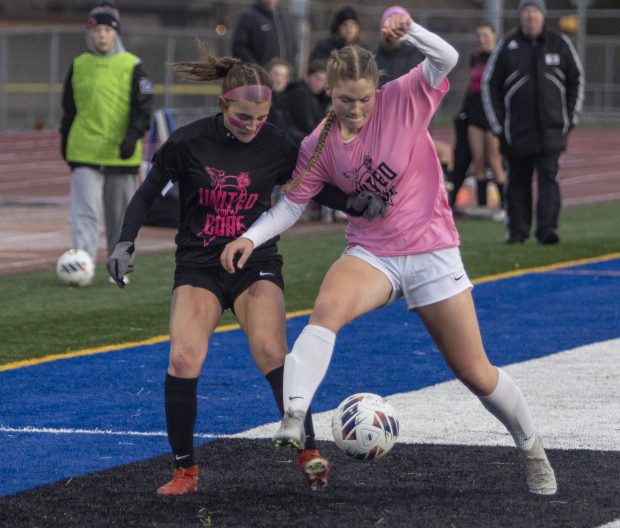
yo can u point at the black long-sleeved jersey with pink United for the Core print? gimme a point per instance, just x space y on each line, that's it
224 186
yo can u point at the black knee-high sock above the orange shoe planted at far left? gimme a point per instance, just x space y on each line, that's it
181 406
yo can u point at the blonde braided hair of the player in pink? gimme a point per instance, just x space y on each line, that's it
350 63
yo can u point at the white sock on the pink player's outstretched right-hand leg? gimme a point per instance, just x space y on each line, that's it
508 405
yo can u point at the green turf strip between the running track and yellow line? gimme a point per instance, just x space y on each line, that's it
40 317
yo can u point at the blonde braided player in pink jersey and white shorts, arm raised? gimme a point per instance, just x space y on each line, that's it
378 140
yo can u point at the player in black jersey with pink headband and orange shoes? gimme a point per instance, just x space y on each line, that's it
226 166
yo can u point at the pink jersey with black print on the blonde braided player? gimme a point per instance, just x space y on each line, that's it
394 156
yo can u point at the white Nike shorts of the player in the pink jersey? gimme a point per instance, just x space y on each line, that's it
422 279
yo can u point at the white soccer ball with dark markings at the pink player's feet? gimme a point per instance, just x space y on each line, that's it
365 426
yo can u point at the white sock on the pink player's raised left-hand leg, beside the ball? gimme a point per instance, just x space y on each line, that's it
306 365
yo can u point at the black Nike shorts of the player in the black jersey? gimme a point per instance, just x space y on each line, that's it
228 286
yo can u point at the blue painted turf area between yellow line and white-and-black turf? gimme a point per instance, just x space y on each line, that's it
75 416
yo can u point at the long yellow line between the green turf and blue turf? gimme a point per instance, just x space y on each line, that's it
226 328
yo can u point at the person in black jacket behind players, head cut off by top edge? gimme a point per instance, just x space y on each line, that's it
262 33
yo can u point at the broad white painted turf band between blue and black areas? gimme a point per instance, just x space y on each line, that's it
573 395
